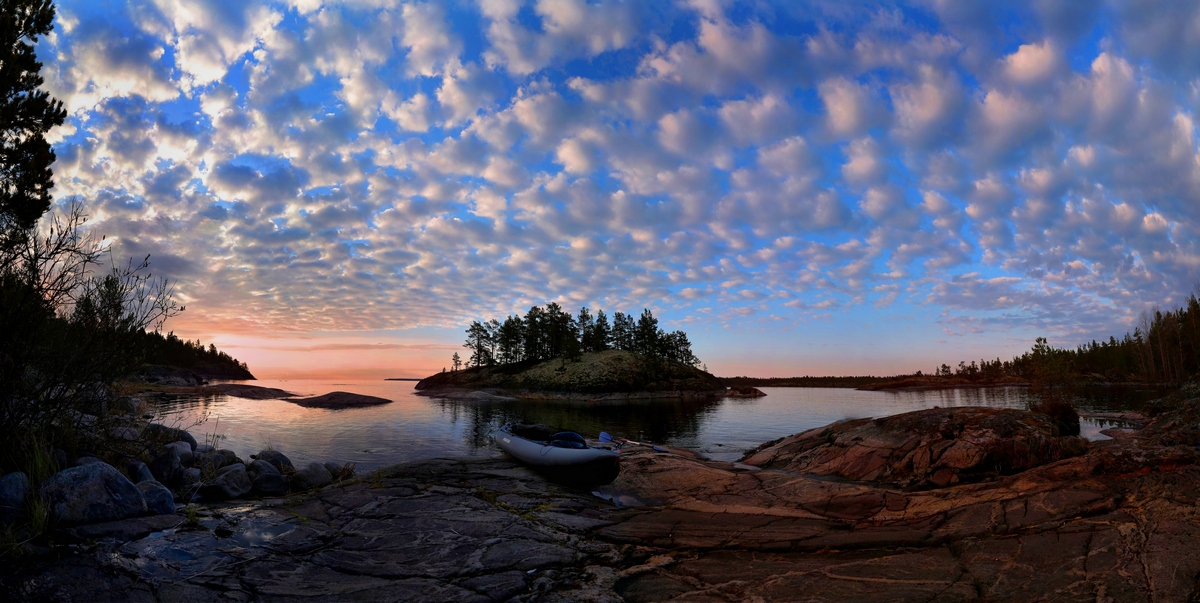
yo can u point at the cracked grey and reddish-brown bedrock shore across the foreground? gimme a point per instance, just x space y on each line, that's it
851 512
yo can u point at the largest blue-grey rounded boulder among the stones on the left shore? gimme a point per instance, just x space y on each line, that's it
92 493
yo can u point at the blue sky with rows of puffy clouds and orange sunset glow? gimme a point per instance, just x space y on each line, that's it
338 189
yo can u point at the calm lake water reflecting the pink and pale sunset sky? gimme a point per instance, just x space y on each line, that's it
415 428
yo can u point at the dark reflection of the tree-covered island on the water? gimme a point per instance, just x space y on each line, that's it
652 421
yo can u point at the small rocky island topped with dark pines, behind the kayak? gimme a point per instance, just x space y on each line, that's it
550 353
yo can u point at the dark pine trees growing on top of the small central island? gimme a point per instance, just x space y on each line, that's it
550 332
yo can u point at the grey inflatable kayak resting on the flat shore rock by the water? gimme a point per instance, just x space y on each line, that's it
565 453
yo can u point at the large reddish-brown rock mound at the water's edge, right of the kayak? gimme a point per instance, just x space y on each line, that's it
927 449
